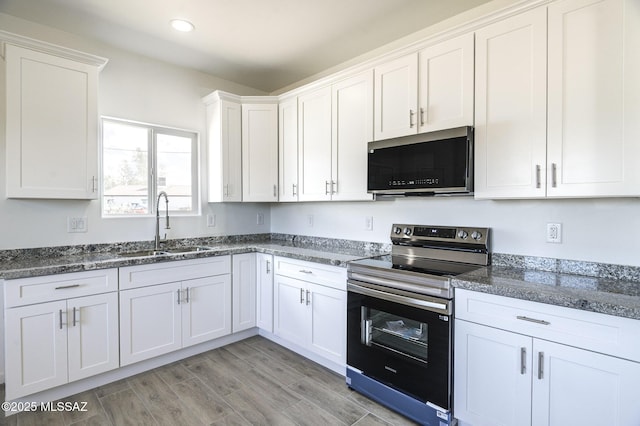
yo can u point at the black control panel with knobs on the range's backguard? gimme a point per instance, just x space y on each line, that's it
457 234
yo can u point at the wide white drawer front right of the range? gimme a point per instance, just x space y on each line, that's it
607 334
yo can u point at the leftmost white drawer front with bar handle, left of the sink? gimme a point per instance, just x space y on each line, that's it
26 291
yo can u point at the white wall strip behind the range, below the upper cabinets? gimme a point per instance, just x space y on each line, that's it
602 230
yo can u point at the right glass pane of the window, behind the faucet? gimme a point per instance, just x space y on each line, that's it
175 174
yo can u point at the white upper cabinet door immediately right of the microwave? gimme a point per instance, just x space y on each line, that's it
510 107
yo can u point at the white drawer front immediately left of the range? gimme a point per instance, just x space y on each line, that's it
331 276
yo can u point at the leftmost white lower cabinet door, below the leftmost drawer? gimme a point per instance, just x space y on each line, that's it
36 348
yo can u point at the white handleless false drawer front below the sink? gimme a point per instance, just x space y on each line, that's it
167 272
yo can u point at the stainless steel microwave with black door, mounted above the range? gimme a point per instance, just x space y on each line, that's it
435 163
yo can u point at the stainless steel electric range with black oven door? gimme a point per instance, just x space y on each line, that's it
400 318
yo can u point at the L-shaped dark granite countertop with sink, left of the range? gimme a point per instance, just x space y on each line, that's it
37 262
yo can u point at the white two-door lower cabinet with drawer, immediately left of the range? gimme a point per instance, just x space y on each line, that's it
309 314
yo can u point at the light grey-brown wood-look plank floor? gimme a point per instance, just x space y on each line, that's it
252 382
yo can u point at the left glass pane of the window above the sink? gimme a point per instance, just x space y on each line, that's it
125 169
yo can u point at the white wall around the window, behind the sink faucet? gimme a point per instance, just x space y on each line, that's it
134 88
